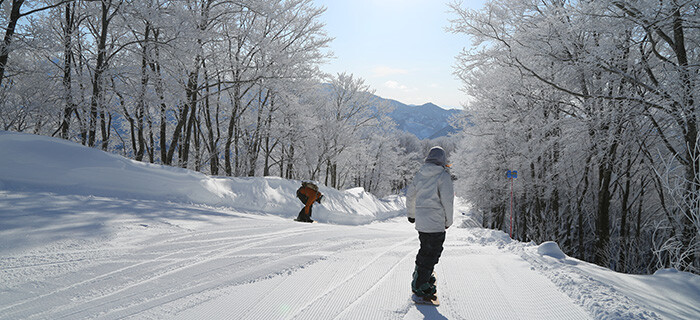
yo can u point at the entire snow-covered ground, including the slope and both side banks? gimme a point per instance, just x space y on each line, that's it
85 234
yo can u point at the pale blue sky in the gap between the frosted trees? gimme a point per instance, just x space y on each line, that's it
400 47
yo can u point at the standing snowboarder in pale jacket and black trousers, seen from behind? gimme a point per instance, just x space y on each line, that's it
429 203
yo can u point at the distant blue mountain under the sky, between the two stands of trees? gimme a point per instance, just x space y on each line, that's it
427 121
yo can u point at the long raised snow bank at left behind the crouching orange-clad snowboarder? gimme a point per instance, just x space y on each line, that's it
37 163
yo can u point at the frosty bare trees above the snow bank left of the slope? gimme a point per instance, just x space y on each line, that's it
228 88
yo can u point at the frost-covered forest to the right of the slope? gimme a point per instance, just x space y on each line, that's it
595 104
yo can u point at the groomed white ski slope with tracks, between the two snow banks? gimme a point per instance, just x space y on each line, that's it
219 264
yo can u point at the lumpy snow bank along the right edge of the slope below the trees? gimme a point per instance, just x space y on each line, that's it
606 294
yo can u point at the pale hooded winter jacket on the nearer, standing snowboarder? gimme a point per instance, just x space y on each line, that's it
430 198
